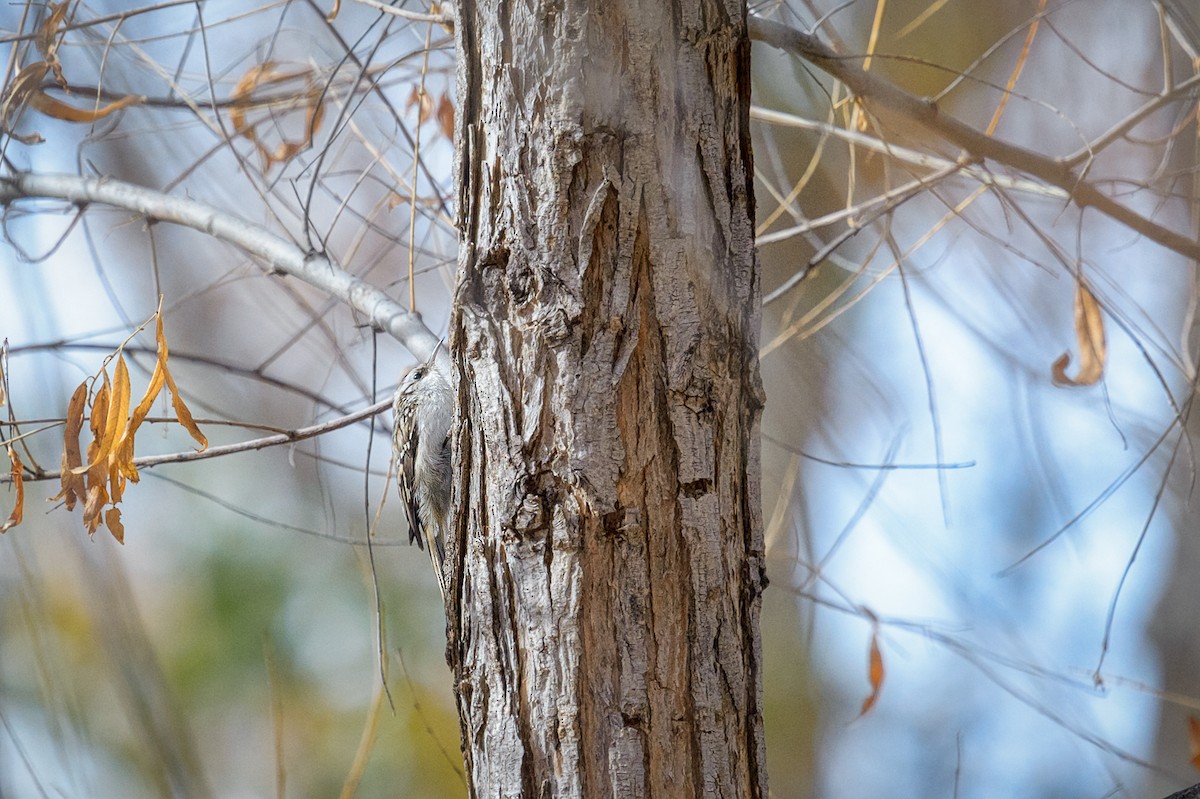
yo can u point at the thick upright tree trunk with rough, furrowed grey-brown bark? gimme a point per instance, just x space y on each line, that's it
607 550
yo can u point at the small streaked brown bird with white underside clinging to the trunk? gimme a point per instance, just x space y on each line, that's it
423 410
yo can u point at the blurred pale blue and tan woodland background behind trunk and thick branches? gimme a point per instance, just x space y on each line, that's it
1003 566
